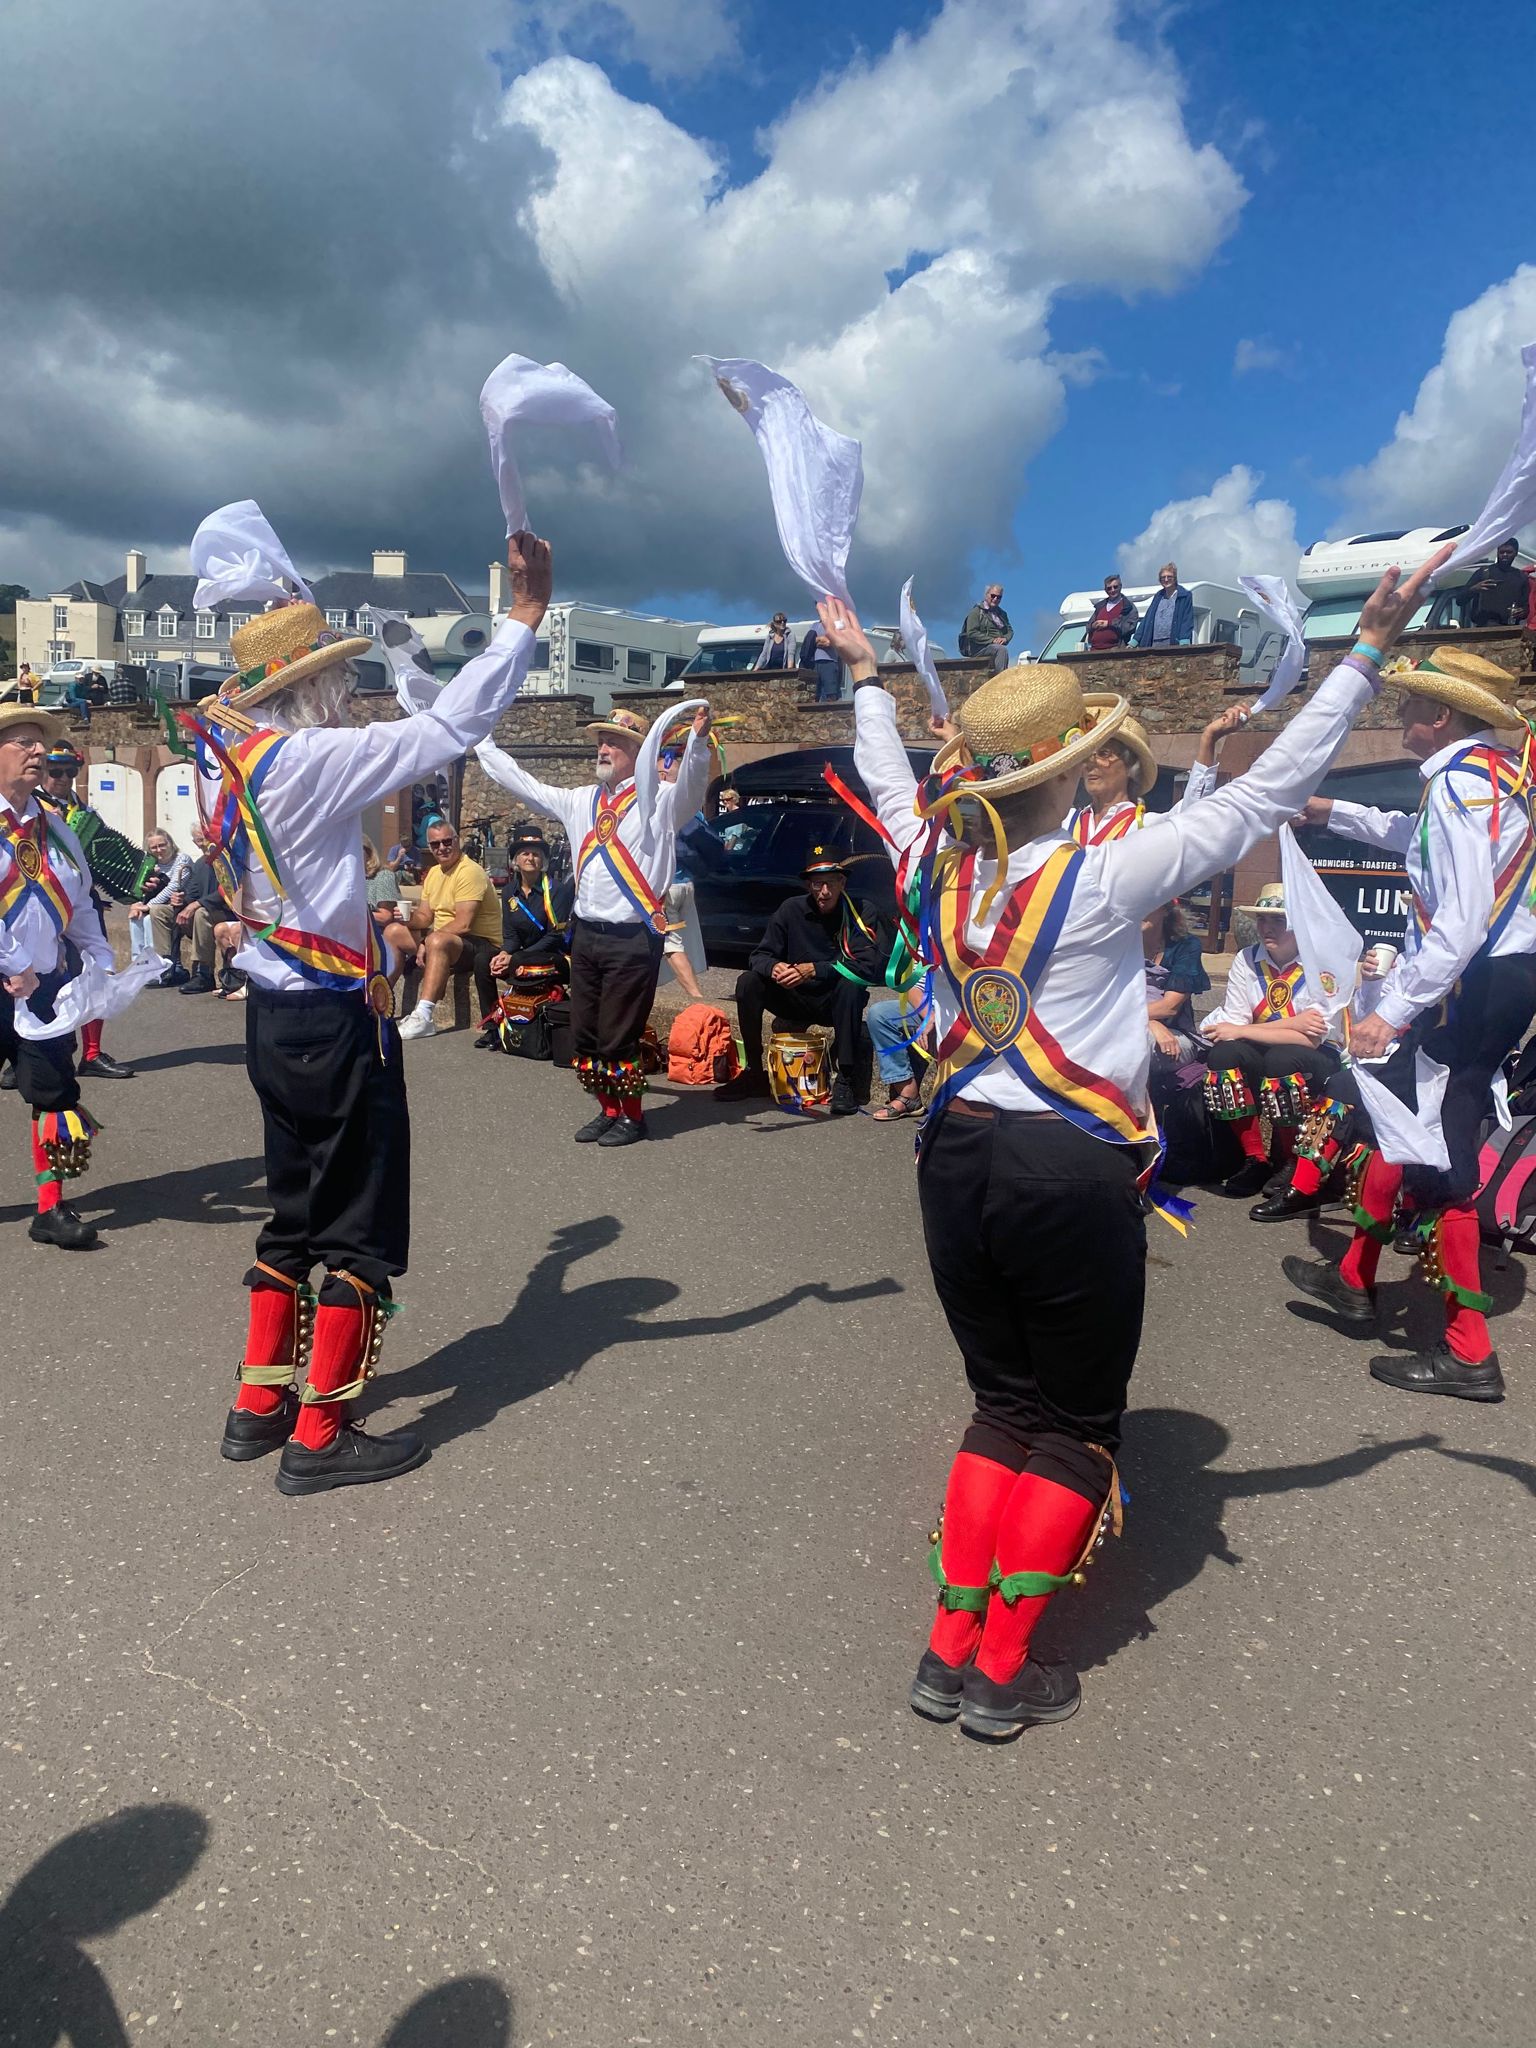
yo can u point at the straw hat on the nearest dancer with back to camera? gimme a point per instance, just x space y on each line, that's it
1027 726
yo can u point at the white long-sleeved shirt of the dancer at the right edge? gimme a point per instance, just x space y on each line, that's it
1453 859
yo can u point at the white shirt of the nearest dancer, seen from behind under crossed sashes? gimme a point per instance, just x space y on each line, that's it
1093 994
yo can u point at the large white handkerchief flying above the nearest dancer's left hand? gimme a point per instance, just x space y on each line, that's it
816 476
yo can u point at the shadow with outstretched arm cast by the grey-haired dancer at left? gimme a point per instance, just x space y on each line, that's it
552 1332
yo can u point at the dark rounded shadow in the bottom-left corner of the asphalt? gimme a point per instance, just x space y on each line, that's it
87 1887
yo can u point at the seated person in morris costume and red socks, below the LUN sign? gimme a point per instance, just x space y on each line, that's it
1267 1046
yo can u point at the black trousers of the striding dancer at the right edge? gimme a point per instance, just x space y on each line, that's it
1484 1023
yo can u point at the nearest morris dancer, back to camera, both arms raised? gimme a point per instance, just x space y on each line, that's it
1039 1132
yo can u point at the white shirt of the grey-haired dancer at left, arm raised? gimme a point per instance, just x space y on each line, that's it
327 777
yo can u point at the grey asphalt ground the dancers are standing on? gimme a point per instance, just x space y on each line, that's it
595 1730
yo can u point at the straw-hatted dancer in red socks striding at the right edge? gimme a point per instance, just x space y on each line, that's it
1463 990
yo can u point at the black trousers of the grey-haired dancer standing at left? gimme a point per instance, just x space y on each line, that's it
337 1134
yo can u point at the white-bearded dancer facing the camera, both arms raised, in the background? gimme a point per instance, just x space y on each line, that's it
624 830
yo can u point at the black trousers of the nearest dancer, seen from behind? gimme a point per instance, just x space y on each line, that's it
1039 1252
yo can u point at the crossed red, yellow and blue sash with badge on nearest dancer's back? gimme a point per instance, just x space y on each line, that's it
996 998
